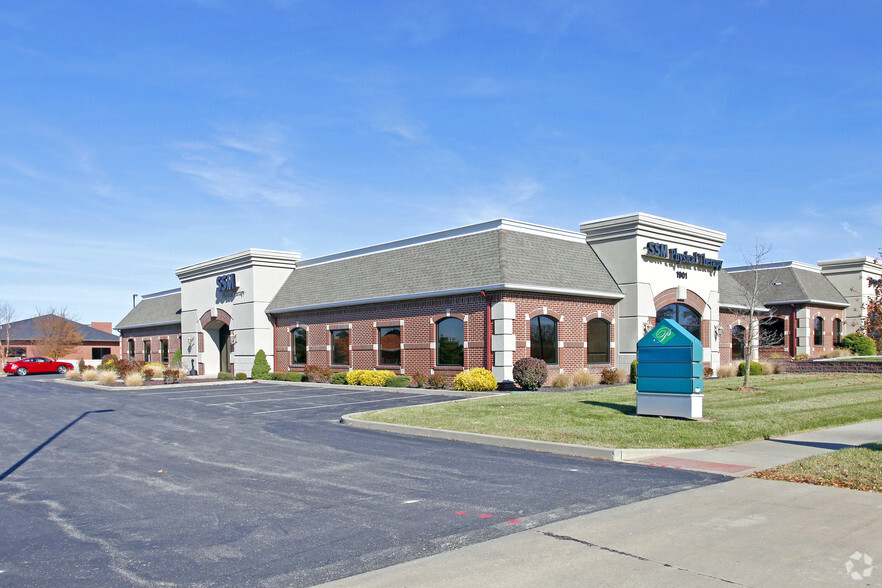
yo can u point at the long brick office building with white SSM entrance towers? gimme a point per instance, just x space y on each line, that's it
488 294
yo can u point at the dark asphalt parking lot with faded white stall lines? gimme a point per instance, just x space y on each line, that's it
259 485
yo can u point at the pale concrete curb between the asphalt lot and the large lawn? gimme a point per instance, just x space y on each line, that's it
608 453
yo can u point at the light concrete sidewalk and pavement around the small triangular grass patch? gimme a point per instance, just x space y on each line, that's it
746 532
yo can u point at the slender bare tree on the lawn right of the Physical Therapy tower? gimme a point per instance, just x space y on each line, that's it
752 289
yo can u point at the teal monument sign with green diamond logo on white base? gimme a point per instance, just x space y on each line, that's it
669 372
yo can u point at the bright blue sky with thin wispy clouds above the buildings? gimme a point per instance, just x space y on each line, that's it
141 136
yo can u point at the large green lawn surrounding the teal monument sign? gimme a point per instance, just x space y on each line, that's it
606 416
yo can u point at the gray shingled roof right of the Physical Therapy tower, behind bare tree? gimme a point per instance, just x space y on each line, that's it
792 284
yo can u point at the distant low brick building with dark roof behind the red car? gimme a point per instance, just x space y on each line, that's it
98 339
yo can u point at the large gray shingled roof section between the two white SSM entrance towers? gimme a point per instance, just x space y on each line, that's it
467 262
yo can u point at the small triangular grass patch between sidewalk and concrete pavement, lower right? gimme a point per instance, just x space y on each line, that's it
858 468
